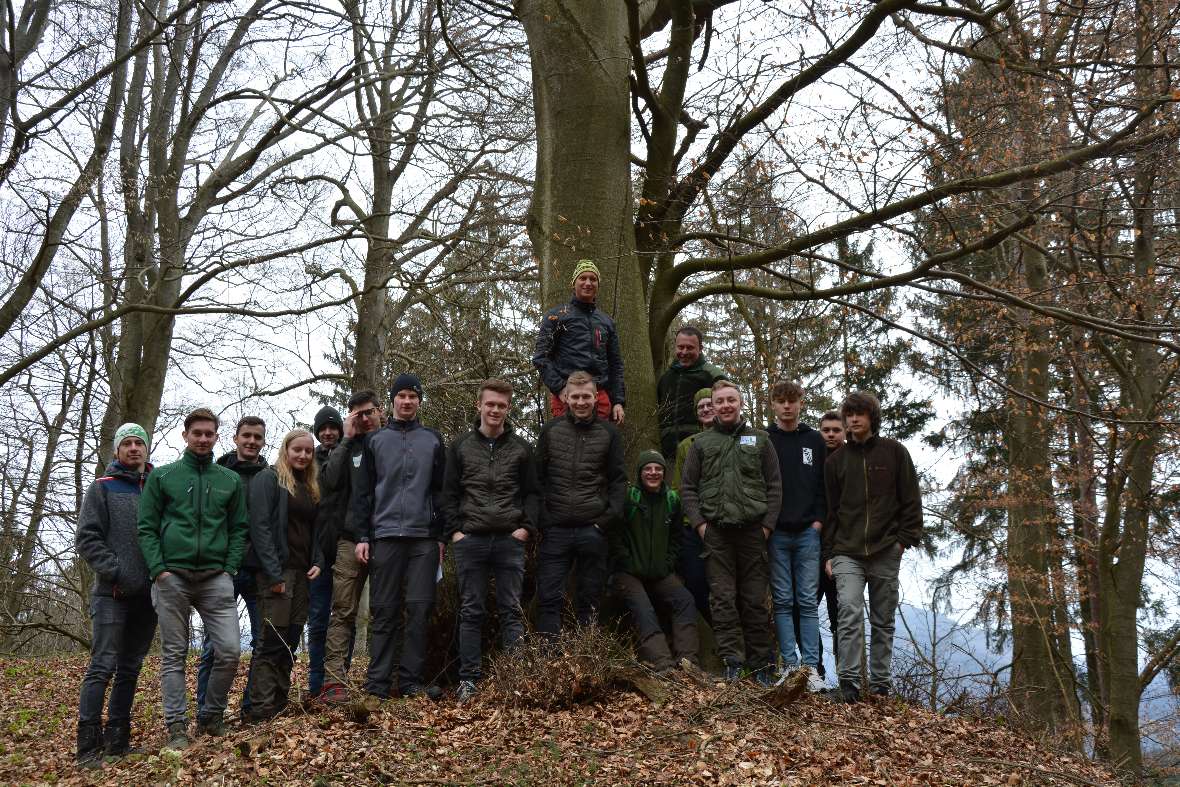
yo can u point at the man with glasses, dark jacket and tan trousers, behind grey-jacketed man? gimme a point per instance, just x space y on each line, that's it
343 477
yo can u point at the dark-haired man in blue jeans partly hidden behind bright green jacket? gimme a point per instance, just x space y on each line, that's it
247 461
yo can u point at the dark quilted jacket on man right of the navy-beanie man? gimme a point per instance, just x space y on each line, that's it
491 486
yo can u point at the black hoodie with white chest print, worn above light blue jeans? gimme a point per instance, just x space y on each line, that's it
802 455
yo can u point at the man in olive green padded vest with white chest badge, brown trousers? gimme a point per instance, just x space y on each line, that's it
732 494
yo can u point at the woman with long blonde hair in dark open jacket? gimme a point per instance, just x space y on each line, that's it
286 556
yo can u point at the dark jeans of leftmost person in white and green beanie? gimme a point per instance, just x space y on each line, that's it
122 631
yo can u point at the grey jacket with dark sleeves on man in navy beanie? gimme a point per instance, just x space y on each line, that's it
403 467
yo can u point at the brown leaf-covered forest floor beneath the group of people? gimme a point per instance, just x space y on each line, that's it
692 732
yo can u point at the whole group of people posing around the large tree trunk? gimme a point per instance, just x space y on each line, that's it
719 520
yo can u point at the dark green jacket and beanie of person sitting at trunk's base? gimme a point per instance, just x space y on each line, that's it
646 543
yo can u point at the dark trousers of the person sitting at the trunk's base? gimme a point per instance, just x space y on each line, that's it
641 598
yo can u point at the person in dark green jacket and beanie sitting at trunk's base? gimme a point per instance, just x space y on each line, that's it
644 550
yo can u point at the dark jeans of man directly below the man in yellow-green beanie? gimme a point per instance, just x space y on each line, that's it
562 550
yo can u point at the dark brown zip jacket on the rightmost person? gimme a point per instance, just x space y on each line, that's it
874 501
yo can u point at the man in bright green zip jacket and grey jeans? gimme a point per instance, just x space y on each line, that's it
193 532
